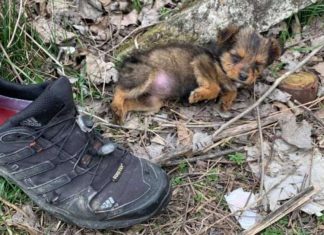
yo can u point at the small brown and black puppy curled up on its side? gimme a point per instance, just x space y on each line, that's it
176 71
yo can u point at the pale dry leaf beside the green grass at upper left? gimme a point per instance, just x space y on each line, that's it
51 32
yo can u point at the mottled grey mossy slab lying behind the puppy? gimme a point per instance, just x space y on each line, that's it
203 19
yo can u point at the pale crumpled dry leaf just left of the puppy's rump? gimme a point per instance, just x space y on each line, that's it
99 71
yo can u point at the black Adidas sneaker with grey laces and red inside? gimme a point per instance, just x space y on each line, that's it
54 156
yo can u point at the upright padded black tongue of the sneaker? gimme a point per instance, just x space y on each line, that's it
56 98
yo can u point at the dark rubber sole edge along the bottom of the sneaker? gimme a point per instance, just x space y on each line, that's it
91 224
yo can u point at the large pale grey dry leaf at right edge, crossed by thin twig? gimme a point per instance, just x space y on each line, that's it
288 169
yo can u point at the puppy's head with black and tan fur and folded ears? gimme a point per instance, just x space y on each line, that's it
244 53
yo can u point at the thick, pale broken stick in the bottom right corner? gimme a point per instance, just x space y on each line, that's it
285 209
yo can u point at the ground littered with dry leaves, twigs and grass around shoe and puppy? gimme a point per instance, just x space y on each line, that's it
263 160
